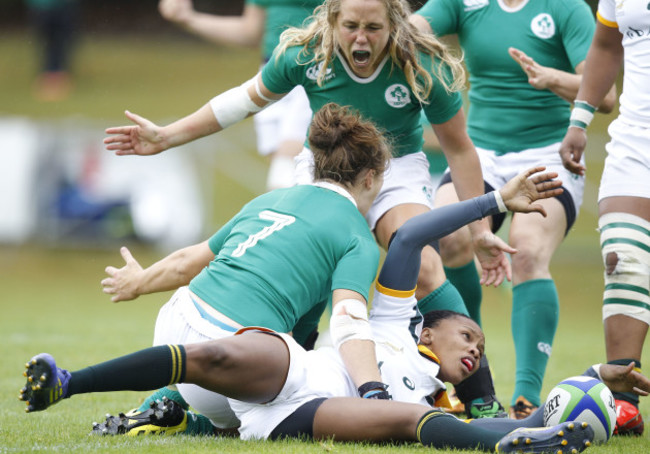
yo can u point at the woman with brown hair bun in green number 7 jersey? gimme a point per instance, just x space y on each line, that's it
279 260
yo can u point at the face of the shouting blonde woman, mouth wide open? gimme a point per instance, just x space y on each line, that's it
362 31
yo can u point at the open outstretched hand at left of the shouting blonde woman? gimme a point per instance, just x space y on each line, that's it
144 138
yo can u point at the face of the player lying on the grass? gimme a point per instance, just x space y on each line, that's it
459 344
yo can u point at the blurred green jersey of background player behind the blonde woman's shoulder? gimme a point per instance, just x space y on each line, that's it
280 15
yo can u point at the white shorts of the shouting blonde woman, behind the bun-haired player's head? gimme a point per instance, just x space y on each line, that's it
406 180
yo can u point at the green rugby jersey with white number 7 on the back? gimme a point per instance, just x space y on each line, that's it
284 253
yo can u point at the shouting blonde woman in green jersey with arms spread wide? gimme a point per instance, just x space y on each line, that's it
362 53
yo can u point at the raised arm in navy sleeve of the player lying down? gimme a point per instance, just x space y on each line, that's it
402 263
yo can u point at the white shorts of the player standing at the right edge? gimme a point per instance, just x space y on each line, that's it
627 166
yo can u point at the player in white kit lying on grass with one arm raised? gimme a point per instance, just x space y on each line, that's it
282 390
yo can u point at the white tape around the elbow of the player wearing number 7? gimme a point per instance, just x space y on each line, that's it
349 322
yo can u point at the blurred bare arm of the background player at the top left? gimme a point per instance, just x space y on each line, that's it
245 30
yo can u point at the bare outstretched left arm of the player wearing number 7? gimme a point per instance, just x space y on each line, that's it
175 270
